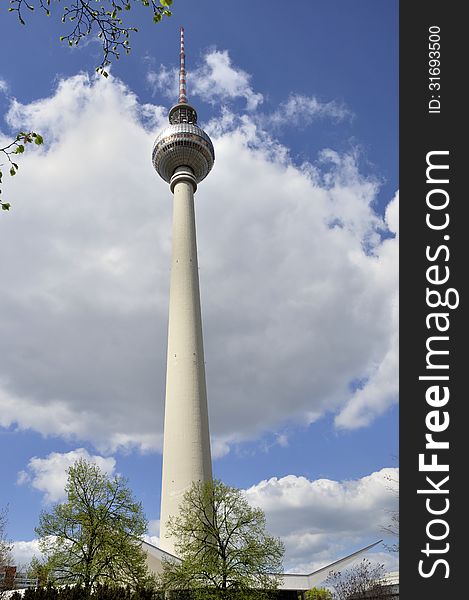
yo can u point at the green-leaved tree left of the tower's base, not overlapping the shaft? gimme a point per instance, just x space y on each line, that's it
93 537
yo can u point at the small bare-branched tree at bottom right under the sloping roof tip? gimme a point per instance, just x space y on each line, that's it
364 580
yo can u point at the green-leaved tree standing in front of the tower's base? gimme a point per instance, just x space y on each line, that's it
224 549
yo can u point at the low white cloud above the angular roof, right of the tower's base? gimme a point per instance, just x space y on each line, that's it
323 520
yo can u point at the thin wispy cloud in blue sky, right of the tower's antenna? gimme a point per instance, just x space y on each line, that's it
302 110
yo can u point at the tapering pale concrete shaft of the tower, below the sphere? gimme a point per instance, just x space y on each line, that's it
186 448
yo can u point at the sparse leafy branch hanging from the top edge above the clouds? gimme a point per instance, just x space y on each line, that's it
102 17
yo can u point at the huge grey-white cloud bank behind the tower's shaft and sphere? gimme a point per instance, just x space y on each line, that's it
298 289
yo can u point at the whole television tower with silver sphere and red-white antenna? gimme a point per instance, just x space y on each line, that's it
183 155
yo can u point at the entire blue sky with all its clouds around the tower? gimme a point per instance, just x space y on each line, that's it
297 243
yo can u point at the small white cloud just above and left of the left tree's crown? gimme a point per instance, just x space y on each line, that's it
49 475
